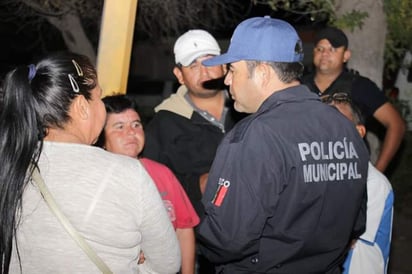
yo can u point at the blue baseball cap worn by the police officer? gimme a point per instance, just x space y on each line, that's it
262 39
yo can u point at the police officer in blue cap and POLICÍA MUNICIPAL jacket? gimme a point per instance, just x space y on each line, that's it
286 191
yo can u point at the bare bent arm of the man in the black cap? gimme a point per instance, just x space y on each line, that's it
390 118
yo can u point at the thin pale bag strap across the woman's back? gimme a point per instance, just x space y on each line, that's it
67 225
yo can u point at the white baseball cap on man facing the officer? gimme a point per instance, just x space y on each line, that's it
194 44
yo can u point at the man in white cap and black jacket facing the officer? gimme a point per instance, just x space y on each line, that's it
188 126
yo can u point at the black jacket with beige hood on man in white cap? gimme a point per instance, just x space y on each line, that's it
186 144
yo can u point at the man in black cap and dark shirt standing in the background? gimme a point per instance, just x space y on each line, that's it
330 55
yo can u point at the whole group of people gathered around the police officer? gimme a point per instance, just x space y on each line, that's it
249 167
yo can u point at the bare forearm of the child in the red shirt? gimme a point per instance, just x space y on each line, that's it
186 237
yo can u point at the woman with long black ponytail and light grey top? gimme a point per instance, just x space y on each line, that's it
50 114
